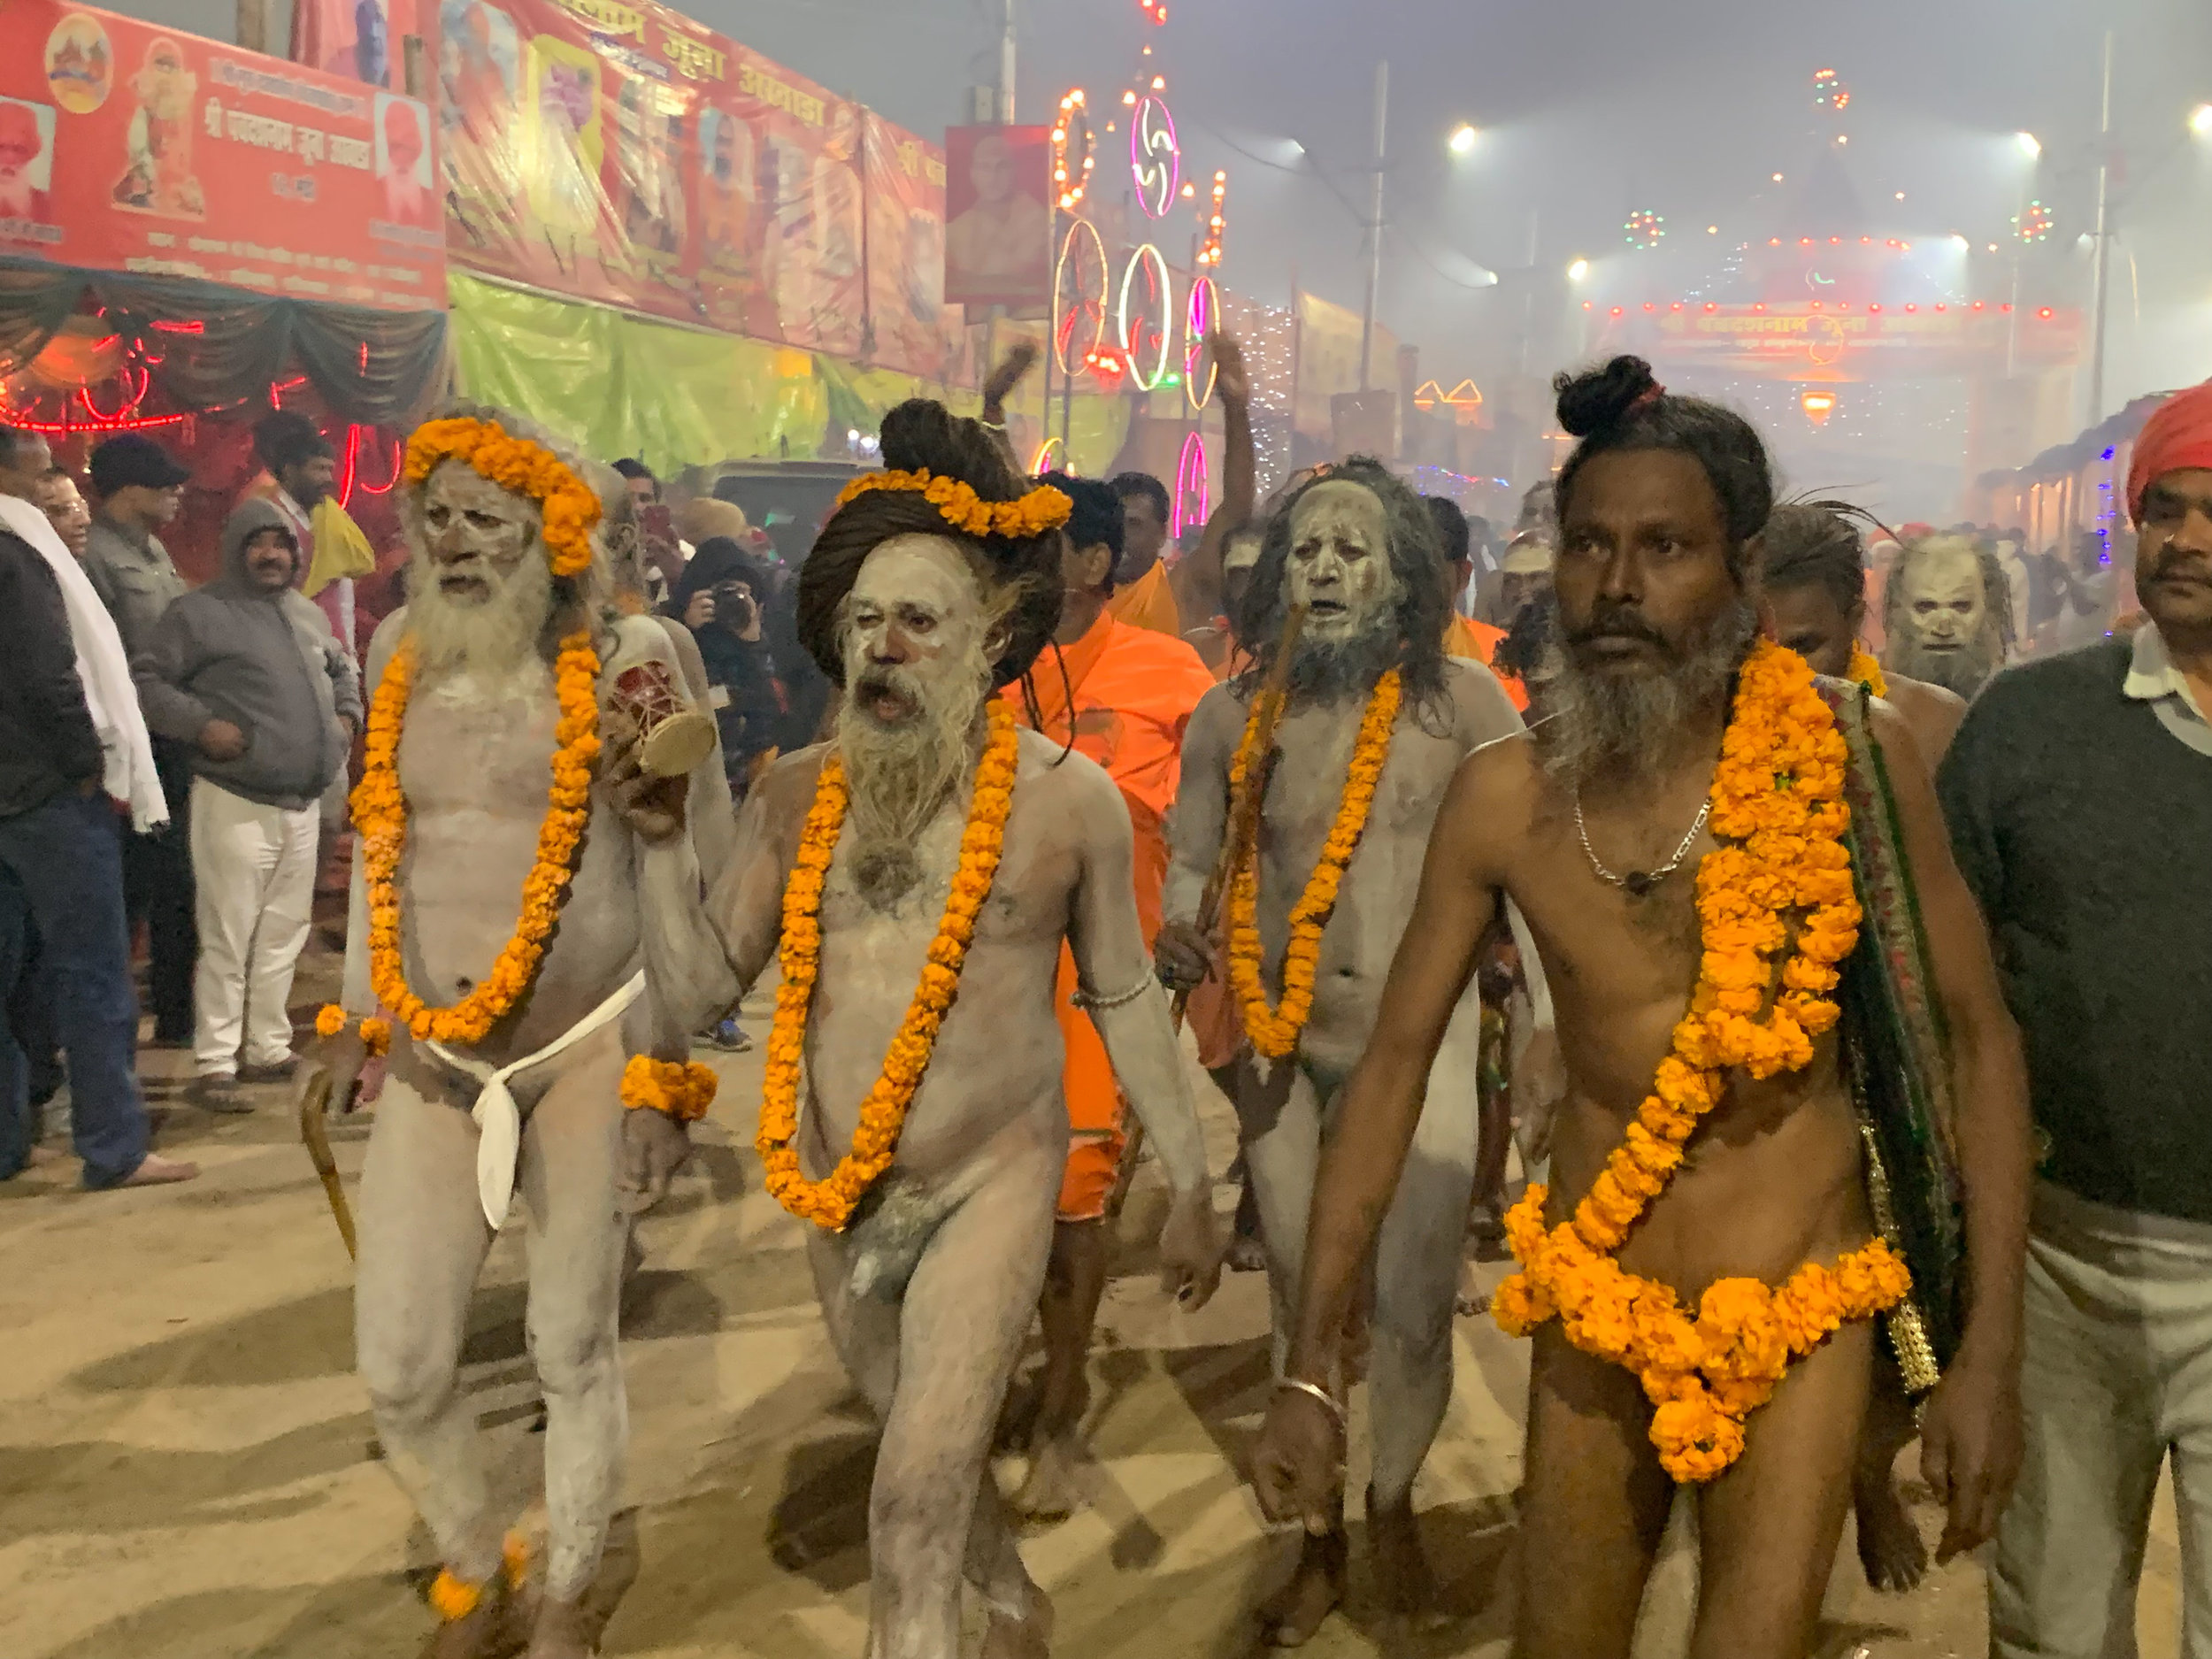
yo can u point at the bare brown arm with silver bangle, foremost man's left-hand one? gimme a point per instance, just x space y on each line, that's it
1302 1450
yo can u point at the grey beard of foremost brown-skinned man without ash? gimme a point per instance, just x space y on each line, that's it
1603 724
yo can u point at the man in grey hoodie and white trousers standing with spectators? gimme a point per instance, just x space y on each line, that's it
251 678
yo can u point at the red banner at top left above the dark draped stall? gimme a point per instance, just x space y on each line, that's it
129 147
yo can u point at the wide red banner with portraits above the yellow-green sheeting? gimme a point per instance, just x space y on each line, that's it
629 156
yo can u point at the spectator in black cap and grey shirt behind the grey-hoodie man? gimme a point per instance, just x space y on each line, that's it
138 490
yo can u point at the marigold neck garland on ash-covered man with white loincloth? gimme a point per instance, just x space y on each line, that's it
382 820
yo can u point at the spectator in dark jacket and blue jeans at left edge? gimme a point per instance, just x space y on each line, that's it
61 875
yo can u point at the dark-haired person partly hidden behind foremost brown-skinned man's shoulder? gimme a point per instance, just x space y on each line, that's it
1817 605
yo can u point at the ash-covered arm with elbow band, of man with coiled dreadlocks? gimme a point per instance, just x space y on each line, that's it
1114 968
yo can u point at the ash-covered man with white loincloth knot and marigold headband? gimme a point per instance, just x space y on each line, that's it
525 915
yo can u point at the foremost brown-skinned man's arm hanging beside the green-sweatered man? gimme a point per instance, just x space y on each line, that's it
1970 1432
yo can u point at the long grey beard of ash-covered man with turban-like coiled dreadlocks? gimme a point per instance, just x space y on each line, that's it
899 778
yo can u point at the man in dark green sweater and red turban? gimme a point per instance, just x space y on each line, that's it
2080 804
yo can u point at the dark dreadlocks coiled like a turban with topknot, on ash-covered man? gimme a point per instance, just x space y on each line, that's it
1021 576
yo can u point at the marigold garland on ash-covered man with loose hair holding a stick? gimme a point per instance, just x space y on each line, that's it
1275 1032
